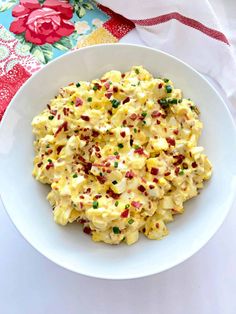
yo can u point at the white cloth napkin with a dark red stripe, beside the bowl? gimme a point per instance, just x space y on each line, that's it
186 29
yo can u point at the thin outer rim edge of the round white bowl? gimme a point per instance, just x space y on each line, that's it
145 272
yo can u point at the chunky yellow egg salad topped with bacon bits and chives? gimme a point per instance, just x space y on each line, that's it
121 155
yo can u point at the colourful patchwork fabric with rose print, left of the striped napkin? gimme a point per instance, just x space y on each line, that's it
33 32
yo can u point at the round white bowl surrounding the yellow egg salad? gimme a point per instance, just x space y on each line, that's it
25 199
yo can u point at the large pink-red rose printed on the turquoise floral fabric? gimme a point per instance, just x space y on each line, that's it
42 24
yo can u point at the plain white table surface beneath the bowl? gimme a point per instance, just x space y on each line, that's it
206 283
